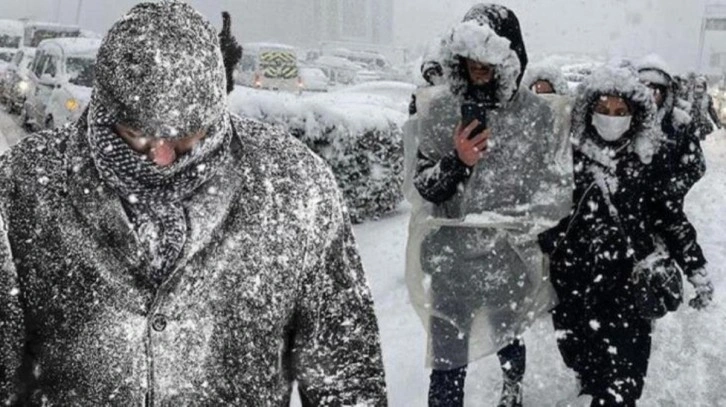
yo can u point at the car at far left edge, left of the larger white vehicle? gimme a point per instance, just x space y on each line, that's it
15 83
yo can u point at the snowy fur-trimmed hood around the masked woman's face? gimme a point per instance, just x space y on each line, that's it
644 138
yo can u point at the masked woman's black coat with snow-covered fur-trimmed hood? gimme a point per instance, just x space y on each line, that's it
617 215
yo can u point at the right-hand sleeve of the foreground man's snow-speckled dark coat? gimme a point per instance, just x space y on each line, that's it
336 351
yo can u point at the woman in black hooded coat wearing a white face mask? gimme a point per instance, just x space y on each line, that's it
593 252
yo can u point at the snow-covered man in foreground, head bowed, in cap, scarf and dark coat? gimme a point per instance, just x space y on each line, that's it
161 251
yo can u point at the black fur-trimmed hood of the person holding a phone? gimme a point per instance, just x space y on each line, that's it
489 33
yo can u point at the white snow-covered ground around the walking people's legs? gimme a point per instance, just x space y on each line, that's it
688 353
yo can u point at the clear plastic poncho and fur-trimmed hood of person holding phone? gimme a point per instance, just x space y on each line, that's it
496 208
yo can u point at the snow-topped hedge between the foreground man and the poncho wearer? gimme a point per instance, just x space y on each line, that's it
359 137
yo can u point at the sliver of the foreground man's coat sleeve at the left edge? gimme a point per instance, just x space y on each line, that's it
11 323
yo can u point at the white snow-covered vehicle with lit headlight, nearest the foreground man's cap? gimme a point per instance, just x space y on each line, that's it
62 78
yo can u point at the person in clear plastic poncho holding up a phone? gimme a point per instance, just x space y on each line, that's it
474 270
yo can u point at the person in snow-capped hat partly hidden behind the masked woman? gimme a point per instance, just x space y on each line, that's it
681 164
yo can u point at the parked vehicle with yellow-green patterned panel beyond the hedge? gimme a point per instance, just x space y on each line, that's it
269 66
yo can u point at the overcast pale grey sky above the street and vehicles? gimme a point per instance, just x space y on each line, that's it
600 27
